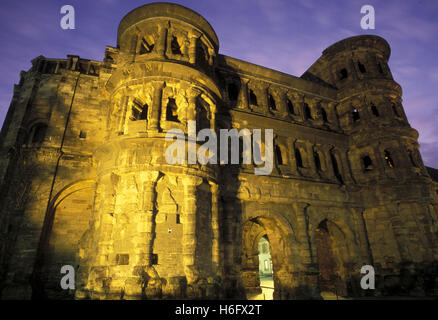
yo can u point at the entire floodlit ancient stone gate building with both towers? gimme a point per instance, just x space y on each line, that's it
85 181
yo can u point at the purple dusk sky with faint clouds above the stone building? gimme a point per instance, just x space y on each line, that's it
285 35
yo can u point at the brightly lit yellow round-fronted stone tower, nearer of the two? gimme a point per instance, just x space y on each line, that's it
154 229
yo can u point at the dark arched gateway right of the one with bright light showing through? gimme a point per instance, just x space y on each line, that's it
331 253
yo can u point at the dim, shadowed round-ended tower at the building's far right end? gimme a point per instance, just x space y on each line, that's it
385 162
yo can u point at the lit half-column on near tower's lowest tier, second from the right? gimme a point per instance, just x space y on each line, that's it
189 228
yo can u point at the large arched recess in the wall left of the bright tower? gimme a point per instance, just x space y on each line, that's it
66 220
